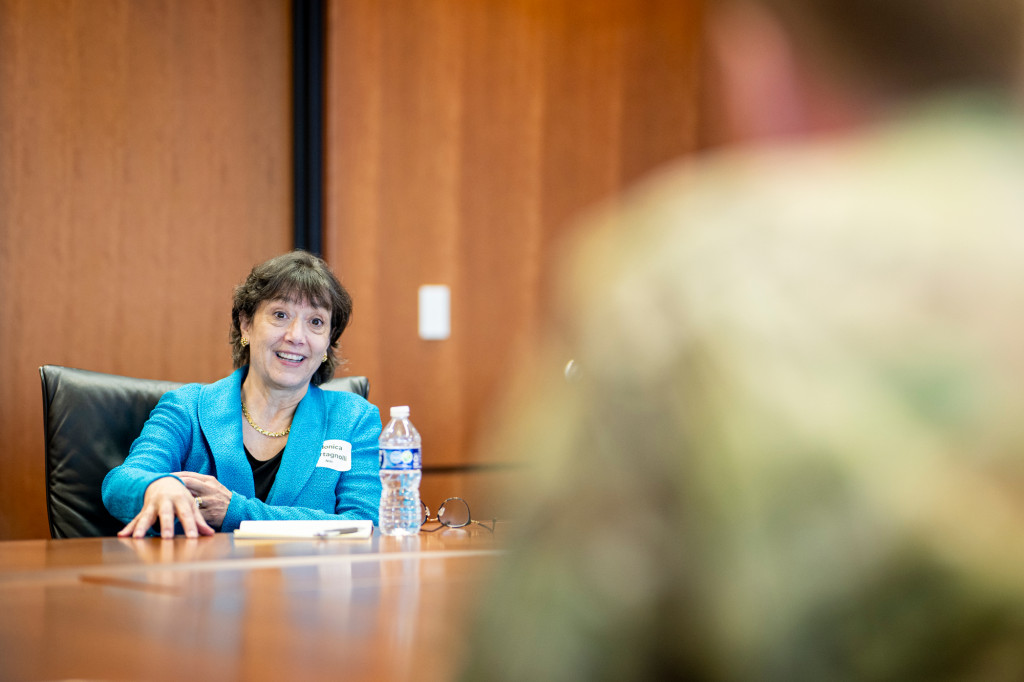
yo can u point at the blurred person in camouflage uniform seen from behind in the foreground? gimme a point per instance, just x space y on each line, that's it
795 448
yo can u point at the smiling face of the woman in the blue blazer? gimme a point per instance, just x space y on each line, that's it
287 342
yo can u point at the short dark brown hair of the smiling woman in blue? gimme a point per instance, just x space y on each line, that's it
300 277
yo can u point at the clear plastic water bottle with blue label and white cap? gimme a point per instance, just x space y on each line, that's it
401 514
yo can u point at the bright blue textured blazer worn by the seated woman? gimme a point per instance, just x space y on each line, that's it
198 428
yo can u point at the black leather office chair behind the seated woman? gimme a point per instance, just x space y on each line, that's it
91 420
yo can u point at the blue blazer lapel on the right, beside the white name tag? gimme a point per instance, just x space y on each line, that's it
303 451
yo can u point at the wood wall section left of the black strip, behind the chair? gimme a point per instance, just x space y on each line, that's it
145 167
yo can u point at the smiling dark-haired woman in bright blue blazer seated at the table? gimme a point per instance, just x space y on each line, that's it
265 443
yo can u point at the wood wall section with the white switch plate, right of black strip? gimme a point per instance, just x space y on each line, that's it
461 138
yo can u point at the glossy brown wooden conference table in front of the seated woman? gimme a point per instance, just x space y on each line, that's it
222 609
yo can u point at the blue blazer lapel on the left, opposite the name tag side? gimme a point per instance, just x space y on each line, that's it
221 422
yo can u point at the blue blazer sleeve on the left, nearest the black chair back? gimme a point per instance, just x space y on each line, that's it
160 449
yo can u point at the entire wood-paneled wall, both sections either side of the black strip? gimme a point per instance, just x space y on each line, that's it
146 165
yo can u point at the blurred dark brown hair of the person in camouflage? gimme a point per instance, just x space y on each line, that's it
912 46
